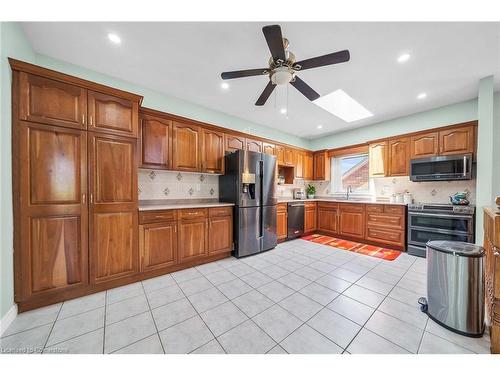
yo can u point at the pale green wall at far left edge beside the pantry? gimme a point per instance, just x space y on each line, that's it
13 44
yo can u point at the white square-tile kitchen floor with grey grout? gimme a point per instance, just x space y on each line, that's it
298 298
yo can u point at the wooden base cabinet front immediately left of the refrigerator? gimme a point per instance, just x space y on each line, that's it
220 230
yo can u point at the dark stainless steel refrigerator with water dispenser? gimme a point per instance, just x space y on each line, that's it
250 183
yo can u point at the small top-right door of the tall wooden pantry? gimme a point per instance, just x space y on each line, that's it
113 115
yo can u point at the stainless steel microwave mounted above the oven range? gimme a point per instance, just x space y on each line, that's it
441 168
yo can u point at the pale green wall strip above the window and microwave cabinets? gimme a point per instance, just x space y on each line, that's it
447 115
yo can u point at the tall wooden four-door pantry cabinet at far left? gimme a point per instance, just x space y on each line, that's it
74 183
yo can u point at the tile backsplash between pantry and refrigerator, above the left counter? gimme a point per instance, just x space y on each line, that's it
160 184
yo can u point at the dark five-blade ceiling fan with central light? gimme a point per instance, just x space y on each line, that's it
283 67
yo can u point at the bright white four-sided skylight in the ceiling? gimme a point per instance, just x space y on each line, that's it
342 105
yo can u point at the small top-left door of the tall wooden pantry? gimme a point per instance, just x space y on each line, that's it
51 102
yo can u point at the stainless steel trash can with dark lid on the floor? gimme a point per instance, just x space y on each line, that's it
455 286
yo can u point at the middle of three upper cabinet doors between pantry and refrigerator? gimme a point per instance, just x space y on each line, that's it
186 147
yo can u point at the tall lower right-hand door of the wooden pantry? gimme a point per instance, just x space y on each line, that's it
113 207
